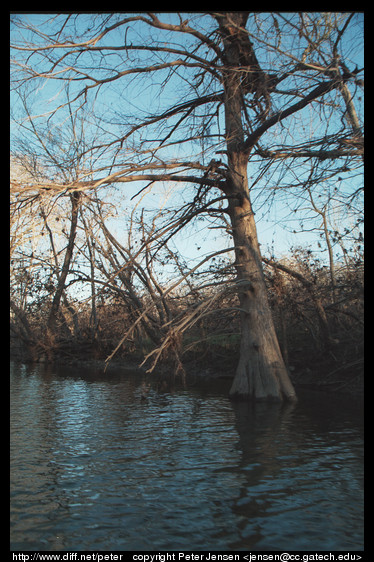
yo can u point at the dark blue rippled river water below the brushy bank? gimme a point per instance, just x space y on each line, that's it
95 466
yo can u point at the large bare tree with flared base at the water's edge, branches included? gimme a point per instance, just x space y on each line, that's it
246 75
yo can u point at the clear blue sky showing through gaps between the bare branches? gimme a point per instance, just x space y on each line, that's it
275 222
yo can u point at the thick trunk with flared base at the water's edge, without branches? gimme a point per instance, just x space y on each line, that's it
261 373
